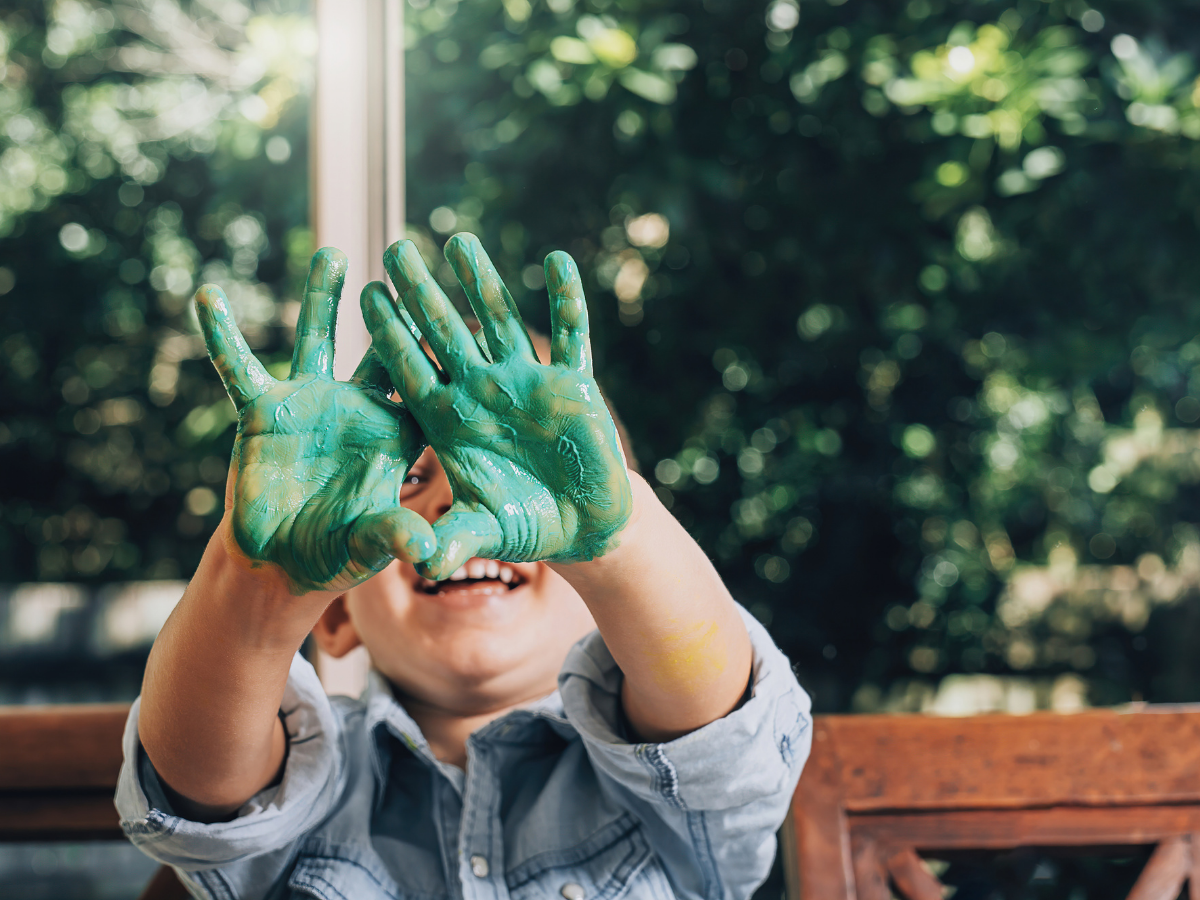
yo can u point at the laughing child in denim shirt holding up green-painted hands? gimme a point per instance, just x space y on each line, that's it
505 747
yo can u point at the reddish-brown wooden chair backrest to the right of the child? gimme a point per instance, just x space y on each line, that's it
880 791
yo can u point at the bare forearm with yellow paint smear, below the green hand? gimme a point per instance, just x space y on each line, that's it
669 621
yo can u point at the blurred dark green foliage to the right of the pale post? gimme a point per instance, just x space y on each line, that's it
897 299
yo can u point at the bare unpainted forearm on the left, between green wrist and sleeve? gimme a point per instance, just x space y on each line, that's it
214 682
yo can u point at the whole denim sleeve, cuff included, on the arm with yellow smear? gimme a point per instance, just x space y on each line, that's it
713 800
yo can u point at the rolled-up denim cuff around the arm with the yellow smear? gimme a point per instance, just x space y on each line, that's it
755 752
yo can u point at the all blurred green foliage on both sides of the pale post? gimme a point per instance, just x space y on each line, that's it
897 299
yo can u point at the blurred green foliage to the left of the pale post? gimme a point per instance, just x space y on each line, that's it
145 148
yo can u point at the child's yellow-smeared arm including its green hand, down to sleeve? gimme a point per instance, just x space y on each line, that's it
538 473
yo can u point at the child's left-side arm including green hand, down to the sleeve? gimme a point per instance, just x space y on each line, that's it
311 509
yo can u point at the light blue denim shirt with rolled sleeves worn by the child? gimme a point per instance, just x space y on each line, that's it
555 802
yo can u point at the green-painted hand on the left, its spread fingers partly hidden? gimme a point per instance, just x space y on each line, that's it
319 463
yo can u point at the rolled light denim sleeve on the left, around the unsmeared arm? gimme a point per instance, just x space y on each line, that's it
261 838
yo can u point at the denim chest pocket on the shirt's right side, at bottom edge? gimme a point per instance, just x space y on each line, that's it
603 868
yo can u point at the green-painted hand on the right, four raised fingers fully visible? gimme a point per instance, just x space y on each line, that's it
531 451
